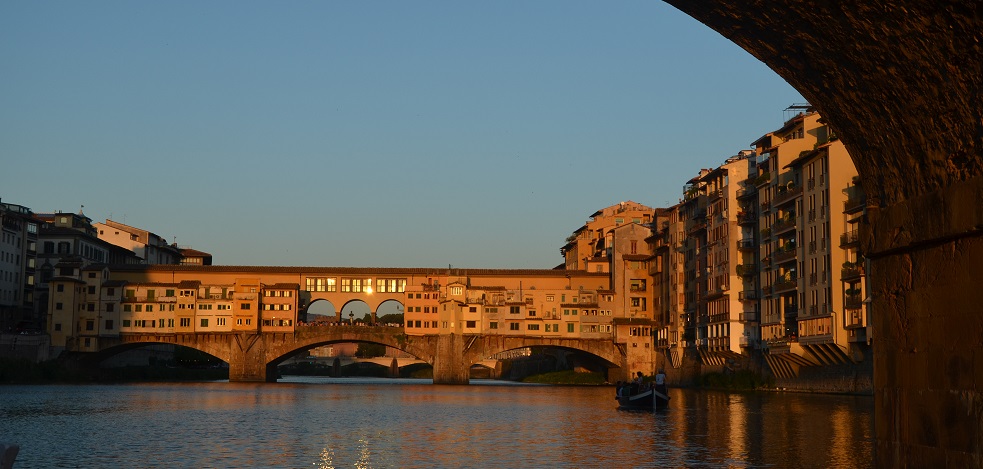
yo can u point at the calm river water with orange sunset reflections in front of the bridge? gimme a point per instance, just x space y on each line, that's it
377 423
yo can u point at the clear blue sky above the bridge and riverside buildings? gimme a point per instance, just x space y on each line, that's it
403 134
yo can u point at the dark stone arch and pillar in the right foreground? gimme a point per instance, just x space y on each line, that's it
901 82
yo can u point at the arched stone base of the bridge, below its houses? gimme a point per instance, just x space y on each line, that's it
254 357
